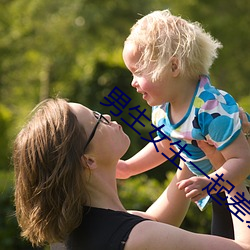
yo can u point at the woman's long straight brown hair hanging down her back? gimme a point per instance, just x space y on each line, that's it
49 181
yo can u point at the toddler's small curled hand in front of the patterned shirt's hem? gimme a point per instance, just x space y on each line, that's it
193 187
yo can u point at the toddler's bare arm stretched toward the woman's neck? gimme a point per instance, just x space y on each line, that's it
144 160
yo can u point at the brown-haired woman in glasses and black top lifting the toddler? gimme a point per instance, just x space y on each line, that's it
65 188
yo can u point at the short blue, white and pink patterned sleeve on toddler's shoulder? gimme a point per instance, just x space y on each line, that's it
219 119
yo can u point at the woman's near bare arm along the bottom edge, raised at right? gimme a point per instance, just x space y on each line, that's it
160 236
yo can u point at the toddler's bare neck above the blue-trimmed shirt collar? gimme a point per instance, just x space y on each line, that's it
181 103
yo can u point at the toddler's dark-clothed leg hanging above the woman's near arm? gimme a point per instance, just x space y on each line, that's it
222 224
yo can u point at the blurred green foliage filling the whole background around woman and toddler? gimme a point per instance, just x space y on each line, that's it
73 48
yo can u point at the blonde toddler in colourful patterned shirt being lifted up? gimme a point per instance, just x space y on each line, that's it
170 59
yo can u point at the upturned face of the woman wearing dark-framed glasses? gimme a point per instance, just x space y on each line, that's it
109 138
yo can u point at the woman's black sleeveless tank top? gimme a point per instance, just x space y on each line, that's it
102 229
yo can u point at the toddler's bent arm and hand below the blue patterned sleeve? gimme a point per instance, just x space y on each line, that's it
235 169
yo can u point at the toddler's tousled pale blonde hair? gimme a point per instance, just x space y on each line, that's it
160 36
